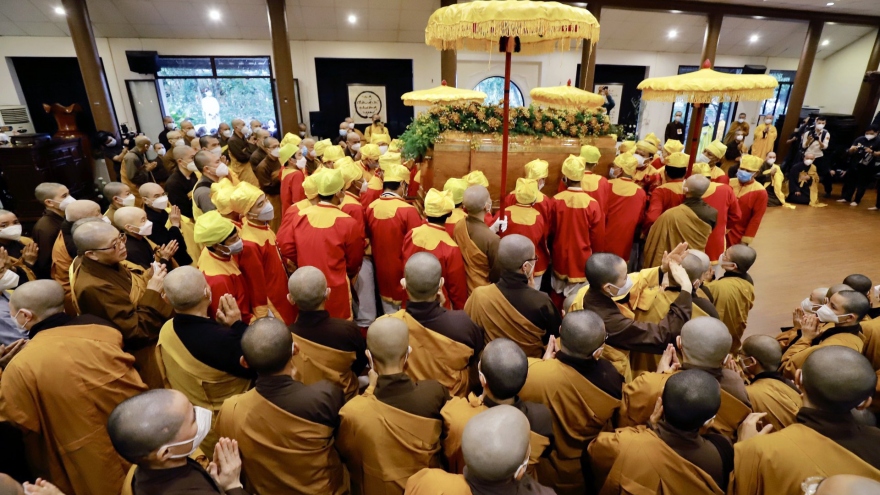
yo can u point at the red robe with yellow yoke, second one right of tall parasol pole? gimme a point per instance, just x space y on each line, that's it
578 229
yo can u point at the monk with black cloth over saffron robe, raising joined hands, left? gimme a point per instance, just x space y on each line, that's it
206 370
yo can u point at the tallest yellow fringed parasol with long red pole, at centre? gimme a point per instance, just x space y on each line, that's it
509 26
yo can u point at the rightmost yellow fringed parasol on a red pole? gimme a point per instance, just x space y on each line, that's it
701 88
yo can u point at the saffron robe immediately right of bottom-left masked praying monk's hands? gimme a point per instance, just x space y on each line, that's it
281 452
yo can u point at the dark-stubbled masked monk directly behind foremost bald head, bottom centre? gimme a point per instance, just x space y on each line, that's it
503 369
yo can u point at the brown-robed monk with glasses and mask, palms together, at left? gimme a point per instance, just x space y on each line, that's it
103 286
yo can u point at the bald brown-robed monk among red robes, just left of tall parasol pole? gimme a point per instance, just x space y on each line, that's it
478 244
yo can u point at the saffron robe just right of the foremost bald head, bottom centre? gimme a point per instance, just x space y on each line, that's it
580 411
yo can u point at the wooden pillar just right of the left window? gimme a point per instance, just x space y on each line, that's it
288 121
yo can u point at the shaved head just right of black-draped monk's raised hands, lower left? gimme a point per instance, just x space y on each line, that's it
267 346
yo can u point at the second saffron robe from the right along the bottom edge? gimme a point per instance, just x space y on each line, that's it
635 460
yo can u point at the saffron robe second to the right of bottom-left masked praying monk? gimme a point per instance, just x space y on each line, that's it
383 446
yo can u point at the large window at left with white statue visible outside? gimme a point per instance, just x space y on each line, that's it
210 90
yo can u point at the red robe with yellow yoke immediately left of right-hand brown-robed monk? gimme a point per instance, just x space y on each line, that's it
626 211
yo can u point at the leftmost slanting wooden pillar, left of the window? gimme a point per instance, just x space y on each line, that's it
90 65
